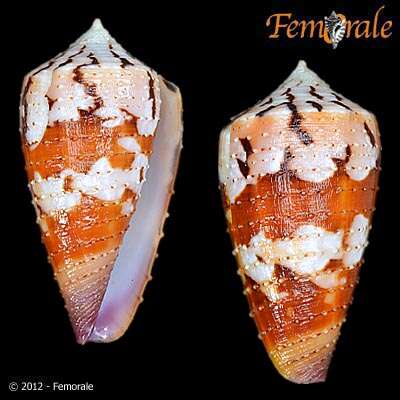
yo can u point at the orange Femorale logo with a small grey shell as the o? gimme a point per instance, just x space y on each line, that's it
331 29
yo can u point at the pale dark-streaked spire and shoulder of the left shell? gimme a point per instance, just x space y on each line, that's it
109 77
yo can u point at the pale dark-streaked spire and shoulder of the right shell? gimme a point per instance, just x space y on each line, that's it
312 161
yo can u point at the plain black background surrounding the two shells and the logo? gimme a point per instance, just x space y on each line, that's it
193 334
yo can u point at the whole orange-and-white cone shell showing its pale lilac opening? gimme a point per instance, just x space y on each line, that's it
101 135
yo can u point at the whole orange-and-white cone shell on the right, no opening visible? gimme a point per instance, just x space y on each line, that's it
298 175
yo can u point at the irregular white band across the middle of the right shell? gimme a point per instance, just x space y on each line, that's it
307 253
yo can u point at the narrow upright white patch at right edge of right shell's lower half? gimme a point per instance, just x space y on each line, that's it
356 240
